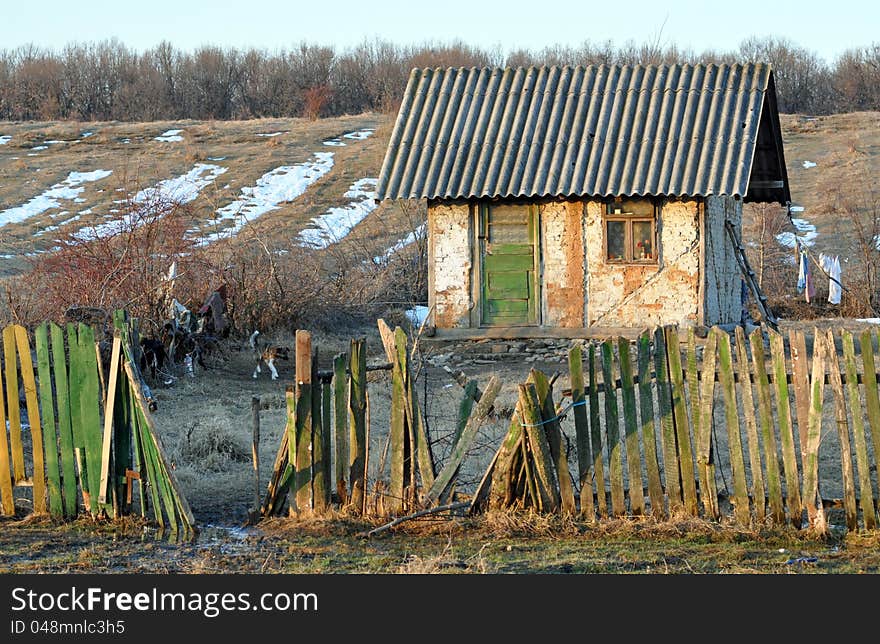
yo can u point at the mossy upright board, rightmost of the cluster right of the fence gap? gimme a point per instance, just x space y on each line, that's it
357 403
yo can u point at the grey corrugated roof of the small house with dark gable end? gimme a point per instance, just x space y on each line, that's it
601 130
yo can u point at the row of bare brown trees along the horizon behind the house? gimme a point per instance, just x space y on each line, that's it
109 81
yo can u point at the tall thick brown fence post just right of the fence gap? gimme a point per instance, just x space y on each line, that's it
302 480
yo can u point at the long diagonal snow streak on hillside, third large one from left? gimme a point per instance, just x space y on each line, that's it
278 186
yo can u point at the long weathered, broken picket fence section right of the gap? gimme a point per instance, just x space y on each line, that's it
722 426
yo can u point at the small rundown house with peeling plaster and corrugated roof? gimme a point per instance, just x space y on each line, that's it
567 198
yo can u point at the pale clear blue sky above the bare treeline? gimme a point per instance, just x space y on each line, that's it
827 27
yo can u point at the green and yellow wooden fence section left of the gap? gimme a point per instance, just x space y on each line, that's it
91 446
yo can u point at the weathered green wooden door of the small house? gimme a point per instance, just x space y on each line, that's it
507 259
